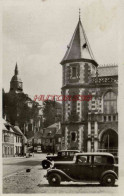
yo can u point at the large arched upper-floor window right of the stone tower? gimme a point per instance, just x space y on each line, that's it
110 103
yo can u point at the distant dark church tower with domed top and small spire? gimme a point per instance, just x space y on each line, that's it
16 82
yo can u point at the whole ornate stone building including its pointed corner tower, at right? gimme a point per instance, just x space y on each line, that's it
90 123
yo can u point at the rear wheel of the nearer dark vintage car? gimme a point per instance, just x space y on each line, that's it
108 180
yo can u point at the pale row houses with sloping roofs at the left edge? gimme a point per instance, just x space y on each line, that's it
14 143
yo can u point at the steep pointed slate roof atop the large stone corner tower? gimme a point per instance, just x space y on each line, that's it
79 46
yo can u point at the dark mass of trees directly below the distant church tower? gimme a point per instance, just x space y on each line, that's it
15 106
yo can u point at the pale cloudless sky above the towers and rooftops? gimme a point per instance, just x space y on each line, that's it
36 35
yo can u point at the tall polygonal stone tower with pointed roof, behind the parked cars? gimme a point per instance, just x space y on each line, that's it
78 66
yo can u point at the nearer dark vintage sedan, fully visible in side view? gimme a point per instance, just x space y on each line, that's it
85 167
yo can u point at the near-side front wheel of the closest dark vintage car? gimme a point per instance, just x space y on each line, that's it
54 179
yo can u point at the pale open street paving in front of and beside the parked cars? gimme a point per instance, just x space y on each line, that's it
33 182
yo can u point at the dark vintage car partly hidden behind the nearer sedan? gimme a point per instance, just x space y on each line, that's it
63 155
